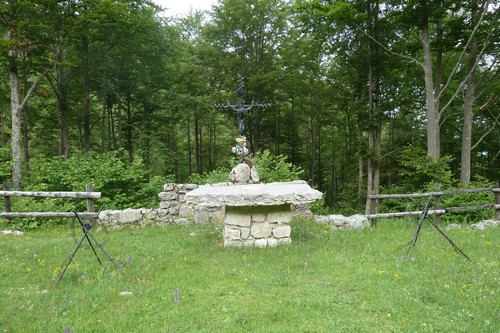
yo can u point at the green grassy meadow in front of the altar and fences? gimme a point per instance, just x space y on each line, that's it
340 281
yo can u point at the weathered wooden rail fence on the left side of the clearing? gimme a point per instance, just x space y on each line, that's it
89 195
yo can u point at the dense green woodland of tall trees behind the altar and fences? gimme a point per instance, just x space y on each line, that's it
366 96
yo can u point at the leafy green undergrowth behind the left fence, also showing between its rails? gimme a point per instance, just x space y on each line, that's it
122 186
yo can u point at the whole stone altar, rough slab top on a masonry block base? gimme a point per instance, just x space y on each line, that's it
255 214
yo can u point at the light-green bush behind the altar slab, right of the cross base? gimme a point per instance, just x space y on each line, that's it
275 168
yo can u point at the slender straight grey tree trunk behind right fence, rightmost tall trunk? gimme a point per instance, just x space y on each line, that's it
465 163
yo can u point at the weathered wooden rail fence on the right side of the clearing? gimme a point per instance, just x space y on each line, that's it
437 209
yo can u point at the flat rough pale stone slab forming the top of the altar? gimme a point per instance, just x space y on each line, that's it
272 194
